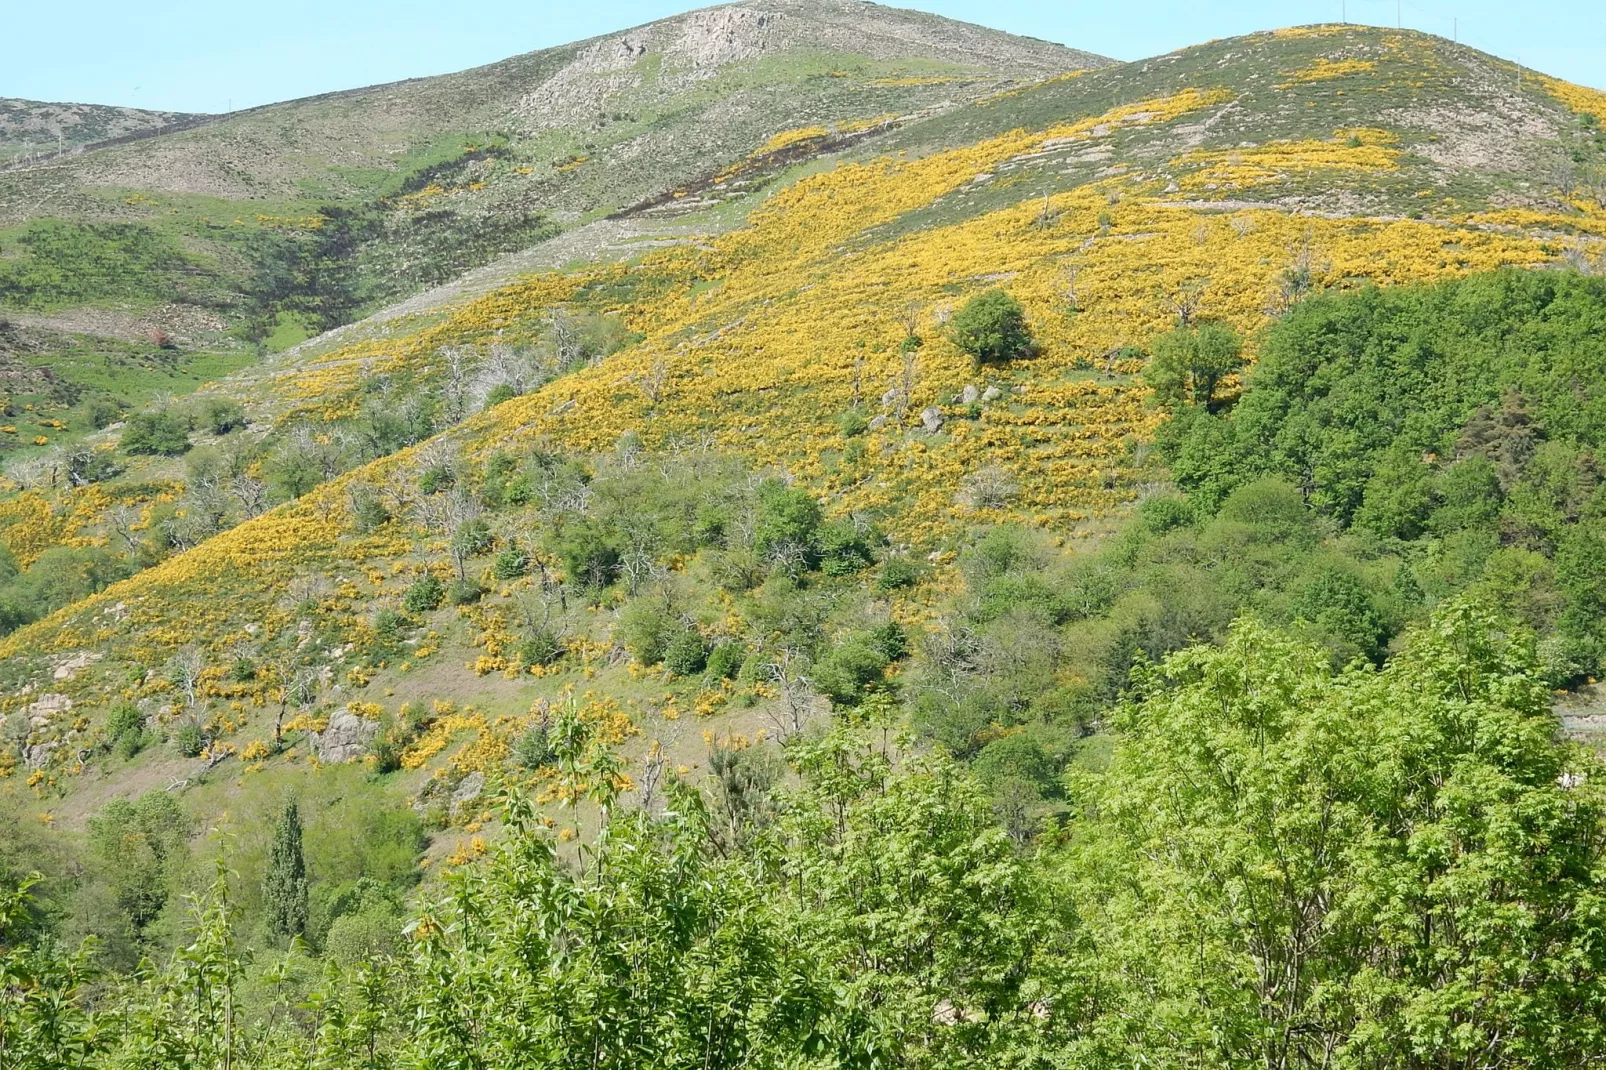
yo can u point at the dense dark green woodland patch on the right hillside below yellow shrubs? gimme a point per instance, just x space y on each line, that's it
1457 420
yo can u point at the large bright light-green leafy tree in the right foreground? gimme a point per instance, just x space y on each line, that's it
1294 867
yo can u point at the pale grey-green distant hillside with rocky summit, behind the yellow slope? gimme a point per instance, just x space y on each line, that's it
579 133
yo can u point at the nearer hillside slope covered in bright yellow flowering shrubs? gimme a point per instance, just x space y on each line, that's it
767 335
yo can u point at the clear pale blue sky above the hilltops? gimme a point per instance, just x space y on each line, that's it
202 55
